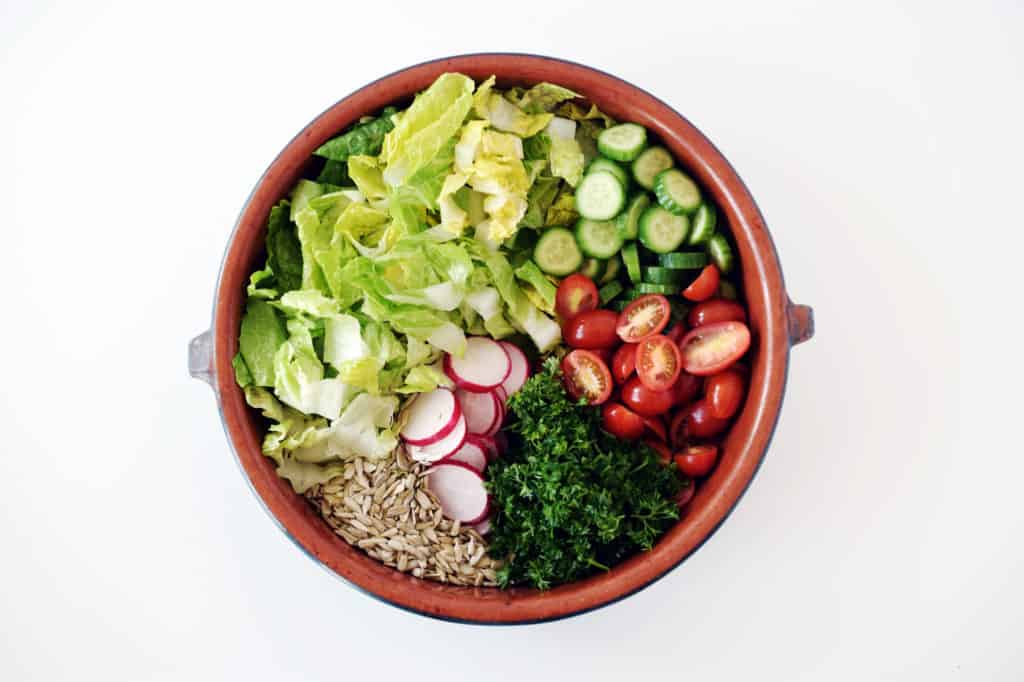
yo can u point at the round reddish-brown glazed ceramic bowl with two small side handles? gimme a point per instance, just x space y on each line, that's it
776 323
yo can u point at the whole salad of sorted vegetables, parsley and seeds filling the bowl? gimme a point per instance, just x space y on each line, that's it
518 308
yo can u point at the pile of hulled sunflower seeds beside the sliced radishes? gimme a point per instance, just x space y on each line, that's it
386 509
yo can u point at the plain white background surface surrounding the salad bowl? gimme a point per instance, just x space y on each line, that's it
883 537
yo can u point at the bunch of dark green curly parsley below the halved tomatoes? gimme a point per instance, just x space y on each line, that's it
572 500
